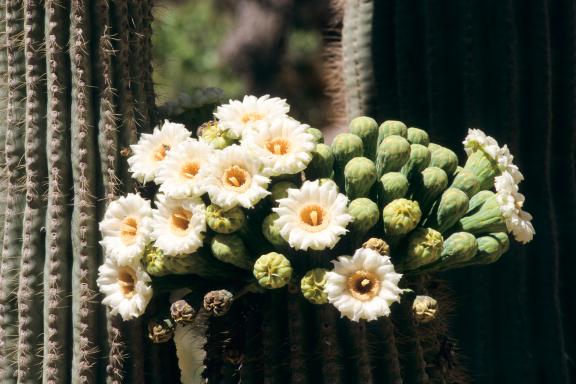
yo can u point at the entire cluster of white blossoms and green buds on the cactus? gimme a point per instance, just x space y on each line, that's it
255 200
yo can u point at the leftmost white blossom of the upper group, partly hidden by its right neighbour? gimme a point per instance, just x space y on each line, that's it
151 150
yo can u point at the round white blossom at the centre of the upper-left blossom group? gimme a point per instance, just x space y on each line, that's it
234 178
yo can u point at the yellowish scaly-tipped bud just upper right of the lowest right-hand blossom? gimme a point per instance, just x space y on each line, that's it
424 248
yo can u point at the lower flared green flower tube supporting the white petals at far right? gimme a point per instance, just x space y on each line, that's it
484 215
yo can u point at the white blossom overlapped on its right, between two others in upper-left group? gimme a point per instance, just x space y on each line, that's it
179 172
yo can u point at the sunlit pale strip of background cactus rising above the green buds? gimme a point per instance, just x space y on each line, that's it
357 57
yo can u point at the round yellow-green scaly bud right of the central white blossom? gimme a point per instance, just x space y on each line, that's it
400 217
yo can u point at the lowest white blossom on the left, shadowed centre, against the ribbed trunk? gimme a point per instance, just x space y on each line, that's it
126 288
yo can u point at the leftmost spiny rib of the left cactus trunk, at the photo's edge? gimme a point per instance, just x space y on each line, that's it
15 200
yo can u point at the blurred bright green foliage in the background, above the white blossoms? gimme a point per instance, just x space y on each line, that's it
186 39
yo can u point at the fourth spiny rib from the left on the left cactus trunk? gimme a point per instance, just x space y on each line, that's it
84 225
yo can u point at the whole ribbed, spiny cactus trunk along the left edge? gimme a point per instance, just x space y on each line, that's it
71 99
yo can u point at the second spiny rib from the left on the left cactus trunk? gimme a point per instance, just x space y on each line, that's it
32 259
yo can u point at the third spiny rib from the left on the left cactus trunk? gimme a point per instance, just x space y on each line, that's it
57 279
